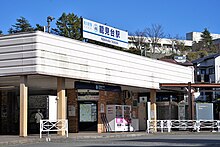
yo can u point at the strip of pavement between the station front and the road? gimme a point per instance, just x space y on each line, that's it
35 138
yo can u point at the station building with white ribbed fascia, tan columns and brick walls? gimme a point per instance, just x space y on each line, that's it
85 78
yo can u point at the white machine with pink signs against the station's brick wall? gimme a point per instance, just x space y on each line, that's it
119 117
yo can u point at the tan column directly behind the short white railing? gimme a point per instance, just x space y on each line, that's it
61 104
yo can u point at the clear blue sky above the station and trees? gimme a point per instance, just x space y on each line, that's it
177 17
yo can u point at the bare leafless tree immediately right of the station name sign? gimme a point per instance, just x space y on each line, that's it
138 39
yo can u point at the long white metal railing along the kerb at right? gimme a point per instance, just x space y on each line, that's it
195 125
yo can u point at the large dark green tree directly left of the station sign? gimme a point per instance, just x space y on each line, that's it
69 25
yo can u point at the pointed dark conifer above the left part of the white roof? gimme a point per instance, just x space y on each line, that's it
22 25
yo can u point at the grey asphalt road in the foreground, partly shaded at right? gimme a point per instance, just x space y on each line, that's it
212 140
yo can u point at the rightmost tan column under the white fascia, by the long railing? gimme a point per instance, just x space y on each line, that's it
153 108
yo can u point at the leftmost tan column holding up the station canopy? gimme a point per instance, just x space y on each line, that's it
23 106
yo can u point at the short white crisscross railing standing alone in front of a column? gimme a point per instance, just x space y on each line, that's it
53 126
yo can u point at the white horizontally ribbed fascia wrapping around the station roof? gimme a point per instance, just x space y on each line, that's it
42 53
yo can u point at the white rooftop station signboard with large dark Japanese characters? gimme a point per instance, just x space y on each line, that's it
103 33
